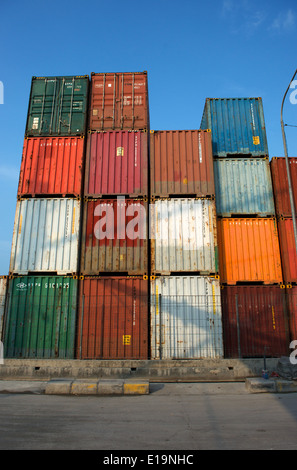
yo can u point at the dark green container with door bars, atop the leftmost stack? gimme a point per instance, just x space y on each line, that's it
57 106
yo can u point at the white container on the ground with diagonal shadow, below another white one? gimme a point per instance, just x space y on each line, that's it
186 318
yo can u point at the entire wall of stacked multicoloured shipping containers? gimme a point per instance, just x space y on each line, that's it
97 272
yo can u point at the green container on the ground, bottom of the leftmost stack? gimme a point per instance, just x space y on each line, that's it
41 317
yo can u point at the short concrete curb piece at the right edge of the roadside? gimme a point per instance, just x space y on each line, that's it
272 385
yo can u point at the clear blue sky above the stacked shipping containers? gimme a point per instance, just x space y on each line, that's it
190 49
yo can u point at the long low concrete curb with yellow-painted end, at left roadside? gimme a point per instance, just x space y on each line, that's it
76 387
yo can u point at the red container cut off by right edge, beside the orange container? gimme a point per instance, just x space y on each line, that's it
288 250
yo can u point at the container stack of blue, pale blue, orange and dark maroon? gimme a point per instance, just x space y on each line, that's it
253 295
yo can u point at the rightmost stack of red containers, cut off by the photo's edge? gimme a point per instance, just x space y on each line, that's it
286 231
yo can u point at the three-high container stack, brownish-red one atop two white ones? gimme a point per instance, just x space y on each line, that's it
185 316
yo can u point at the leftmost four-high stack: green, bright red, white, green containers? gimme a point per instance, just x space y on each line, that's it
44 265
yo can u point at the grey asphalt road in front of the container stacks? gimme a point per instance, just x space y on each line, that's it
173 417
